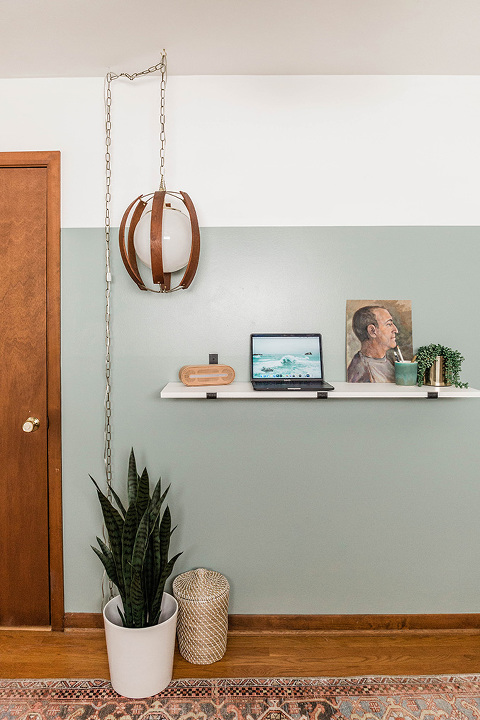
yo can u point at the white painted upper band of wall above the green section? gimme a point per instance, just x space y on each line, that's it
263 150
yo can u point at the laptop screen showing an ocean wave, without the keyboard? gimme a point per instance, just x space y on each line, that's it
282 357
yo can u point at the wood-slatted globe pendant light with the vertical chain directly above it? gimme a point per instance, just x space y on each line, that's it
161 228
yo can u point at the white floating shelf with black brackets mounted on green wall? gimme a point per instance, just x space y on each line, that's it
242 390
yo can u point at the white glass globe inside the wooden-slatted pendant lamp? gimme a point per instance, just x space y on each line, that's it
176 239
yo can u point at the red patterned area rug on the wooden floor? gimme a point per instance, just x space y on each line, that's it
368 698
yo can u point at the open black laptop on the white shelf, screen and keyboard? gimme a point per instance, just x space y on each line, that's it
287 361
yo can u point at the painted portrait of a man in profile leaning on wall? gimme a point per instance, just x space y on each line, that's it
378 333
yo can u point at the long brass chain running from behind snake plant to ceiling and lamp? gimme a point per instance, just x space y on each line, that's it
107 451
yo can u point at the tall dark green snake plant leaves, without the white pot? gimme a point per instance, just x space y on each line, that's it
136 559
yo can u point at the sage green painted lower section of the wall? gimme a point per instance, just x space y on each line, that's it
367 506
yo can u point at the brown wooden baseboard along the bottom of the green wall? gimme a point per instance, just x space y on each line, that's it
281 624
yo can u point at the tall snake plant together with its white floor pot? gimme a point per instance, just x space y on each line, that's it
140 622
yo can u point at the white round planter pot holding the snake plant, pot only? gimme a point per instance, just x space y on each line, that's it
140 660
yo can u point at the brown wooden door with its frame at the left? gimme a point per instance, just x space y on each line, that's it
31 565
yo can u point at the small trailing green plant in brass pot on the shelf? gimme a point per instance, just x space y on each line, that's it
439 365
